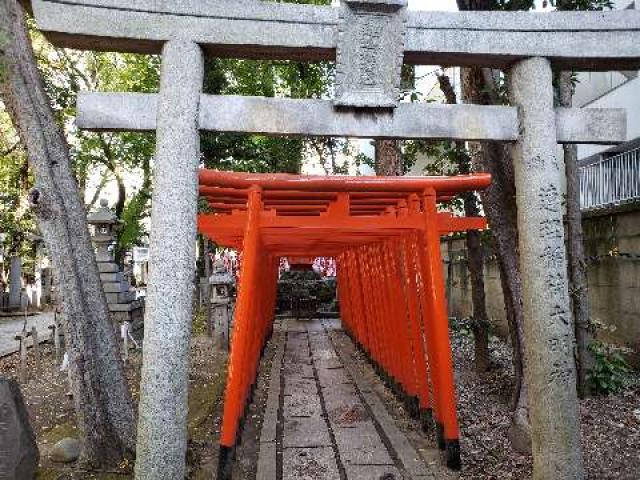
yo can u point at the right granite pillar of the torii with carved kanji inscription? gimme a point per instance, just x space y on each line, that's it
555 424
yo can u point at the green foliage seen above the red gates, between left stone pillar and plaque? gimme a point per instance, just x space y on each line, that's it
275 78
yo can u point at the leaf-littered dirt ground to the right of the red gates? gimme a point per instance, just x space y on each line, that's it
610 424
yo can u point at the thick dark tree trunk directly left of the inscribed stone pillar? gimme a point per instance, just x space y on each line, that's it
499 206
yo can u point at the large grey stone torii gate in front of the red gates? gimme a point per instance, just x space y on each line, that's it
369 39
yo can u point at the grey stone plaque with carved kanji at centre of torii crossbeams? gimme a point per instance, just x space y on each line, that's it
370 52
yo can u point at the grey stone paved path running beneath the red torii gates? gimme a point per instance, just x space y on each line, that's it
323 421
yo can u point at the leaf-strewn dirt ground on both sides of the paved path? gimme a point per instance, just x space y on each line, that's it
610 425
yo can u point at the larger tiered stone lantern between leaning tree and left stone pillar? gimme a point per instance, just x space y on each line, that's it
121 299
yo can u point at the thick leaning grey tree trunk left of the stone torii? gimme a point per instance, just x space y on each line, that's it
102 400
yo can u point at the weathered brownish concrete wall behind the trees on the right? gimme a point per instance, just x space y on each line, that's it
612 242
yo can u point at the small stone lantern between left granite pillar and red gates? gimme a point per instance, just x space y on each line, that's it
221 302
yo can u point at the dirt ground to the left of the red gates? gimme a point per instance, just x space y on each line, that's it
53 417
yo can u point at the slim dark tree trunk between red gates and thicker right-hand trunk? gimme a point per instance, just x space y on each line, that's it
475 256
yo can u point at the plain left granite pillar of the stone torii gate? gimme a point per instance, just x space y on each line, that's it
162 429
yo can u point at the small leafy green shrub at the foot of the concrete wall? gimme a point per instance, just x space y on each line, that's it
610 371
